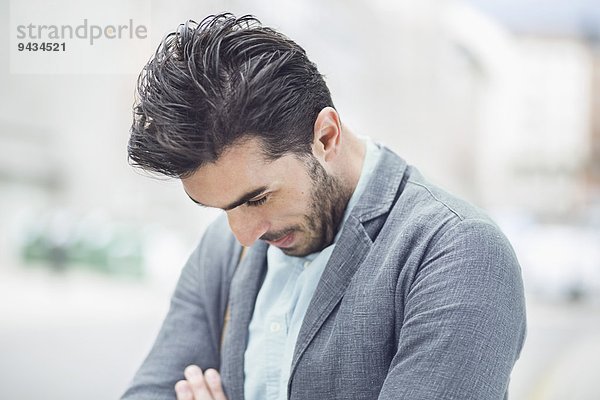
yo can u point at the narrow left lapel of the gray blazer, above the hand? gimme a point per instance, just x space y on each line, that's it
244 289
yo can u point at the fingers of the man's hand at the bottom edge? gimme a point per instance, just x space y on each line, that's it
200 386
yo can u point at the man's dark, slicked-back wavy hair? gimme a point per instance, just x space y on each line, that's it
212 84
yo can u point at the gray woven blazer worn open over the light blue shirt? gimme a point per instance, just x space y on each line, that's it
422 298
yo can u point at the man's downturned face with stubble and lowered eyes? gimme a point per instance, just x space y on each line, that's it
292 204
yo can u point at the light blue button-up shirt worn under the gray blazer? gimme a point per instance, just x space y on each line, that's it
282 302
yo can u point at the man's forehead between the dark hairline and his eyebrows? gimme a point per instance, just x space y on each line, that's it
241 169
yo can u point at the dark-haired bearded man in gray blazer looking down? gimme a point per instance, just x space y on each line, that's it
360 280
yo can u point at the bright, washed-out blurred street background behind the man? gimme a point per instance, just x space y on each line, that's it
497 101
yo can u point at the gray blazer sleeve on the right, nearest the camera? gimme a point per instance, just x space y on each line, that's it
463 324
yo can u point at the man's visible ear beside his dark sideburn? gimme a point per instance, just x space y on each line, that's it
327 134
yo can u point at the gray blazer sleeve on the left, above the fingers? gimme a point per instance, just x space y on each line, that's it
190 333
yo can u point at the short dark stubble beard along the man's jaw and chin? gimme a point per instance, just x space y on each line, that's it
328 201
